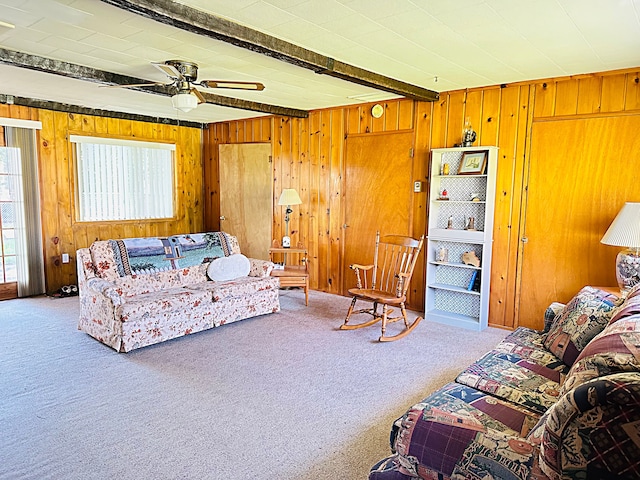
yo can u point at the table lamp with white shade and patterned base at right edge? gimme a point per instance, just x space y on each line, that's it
625 232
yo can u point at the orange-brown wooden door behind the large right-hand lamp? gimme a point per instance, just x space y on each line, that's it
580 175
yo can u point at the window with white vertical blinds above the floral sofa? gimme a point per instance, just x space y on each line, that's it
123 180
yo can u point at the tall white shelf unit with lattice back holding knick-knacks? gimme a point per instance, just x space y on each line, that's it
452 296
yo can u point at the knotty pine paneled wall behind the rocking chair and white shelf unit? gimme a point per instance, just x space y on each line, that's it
308 156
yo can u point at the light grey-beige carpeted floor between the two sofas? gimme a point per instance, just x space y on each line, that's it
283 396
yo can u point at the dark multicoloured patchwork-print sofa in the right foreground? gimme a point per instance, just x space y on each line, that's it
563 403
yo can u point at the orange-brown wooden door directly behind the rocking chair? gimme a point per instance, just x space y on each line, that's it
378 195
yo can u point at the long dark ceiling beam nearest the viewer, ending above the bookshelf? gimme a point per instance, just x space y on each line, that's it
196 21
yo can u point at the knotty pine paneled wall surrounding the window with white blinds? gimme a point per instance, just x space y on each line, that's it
60 230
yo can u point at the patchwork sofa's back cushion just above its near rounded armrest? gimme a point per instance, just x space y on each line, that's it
615 350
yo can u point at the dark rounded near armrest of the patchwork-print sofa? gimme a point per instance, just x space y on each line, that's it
593 430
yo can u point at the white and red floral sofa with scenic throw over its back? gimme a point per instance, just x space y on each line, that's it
137 292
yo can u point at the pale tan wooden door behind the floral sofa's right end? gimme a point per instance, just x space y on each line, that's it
245 196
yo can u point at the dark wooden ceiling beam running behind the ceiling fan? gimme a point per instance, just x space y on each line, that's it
79 72
